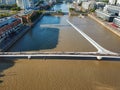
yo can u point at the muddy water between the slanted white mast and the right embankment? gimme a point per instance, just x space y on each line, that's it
98 33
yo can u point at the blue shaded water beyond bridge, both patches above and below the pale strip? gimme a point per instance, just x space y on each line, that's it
39 38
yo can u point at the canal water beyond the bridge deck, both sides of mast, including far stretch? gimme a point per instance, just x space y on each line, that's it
53 33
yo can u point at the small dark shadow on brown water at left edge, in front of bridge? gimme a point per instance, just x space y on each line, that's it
5 63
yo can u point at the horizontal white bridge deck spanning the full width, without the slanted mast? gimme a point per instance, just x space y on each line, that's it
58 55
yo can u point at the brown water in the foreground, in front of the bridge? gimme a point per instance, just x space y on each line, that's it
55 74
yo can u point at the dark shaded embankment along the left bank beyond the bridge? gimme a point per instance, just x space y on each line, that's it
17 37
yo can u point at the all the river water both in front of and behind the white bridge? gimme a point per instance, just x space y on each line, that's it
62 74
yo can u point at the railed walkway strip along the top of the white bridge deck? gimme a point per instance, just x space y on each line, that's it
57 53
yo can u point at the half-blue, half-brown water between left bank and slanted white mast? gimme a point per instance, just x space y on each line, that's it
53 37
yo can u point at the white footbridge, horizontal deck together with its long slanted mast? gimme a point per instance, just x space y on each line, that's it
101 53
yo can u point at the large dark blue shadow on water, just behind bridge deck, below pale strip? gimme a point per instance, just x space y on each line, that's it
38 39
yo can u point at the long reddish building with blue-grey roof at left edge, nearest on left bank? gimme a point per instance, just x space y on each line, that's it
9 25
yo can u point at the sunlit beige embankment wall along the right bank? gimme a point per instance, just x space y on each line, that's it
105 24
